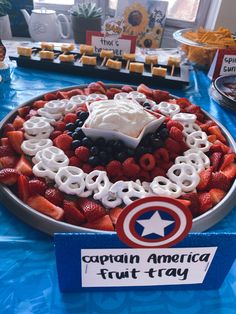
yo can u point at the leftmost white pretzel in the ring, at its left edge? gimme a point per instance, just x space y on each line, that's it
31 147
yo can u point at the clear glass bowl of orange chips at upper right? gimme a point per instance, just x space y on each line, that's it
199 46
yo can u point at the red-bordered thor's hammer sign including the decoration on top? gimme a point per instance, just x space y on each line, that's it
112 38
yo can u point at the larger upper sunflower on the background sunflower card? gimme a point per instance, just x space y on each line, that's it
135 19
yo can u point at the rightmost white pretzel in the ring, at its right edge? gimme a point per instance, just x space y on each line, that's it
198 140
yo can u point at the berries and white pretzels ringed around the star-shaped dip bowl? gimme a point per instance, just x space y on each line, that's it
110 165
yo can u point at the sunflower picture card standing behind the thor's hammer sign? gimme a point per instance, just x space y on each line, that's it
145 19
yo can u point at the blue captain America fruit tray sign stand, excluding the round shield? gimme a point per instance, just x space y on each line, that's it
101 261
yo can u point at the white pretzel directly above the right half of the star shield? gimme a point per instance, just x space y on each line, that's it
162 186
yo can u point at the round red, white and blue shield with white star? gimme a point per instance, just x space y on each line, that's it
154 222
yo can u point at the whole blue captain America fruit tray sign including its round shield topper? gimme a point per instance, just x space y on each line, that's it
150 251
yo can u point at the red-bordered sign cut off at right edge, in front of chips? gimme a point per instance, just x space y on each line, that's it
224 63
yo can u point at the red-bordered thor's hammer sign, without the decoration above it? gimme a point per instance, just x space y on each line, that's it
124 44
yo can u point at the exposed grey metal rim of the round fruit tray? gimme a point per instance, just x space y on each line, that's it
51 226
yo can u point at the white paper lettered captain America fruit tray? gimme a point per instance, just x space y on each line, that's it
145 267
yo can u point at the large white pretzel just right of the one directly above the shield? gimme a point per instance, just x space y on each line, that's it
185 176
